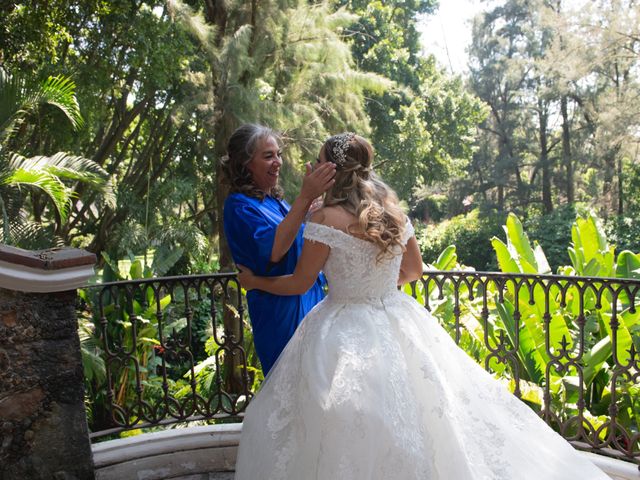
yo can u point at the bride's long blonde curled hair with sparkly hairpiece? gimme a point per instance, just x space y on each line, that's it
359 191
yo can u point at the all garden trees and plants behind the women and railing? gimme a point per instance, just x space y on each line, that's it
114 115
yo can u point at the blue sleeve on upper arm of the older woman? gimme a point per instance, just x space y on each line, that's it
250 235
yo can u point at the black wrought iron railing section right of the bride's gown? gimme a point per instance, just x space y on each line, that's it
568 345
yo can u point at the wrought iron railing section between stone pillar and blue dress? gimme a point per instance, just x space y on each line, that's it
151 335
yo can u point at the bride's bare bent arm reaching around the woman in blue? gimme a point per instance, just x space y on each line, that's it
314 255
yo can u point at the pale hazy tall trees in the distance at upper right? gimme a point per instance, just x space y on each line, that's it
563 111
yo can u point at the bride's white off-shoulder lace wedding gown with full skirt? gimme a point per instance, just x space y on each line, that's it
371 387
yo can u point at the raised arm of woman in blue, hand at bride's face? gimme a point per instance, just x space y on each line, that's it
315 183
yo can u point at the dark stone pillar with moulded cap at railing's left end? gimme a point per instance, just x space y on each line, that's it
43 425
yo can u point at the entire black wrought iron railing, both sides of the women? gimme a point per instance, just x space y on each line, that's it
566 345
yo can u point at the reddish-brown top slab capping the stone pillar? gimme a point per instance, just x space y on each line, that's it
50 259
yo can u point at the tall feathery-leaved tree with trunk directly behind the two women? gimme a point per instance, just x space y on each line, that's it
283 64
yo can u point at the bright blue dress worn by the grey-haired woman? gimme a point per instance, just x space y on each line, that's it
250 227
